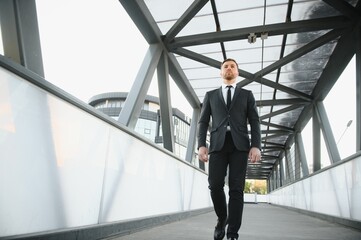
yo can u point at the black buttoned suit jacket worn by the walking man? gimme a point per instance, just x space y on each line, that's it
242 111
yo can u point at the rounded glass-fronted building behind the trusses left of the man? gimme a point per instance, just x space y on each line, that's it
149 123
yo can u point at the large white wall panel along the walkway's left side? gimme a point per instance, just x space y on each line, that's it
62 167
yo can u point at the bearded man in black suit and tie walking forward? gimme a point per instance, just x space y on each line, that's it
230 146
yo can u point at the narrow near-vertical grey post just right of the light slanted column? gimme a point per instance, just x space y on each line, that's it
165 103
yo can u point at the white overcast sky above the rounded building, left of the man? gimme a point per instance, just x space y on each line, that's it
91 47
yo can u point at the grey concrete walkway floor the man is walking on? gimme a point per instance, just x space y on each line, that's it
260 222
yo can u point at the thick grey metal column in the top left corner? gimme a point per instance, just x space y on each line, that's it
20 34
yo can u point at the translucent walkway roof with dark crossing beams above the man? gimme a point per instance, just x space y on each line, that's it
290 54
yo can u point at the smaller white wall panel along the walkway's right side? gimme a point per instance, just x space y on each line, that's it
335 192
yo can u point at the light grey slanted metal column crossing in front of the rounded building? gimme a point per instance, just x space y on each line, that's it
135 99
